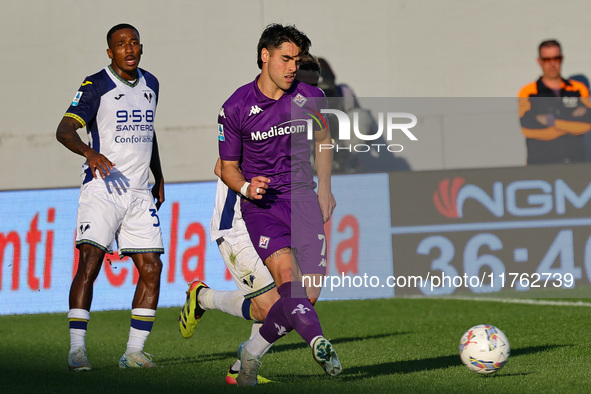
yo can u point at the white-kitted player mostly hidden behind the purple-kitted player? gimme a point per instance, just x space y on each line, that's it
256 290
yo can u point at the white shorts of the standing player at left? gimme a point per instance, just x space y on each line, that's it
129 218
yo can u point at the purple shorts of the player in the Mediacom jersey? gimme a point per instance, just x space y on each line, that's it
288 224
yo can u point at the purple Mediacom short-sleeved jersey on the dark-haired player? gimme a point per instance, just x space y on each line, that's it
270 137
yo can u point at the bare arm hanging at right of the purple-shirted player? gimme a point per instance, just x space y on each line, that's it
324 170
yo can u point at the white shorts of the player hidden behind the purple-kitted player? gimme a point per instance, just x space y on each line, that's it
246 267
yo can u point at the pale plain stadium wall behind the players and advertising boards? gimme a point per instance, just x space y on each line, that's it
201 51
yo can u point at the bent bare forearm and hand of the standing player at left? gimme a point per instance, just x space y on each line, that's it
67 134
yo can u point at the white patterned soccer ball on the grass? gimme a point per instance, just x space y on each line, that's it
484 349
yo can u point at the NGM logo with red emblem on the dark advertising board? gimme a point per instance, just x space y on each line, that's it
519 198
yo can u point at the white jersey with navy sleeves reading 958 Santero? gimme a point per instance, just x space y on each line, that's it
119 119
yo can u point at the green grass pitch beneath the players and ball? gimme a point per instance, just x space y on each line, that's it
385 345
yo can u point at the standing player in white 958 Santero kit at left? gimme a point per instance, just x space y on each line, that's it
117 106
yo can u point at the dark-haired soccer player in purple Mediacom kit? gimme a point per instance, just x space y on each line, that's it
265 156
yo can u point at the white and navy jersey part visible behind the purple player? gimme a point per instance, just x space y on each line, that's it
227 219
